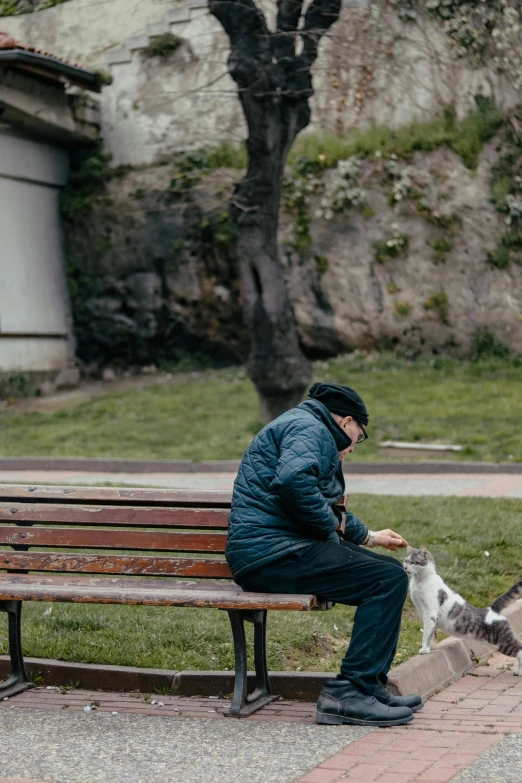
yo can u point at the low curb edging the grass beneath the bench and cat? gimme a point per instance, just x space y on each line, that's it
424 674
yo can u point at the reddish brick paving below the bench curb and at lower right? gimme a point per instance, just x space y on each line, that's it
455 727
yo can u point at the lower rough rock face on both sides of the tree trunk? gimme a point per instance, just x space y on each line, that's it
159 274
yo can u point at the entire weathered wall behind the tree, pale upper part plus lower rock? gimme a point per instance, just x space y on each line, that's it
154 272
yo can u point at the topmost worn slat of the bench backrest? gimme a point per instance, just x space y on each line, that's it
115 496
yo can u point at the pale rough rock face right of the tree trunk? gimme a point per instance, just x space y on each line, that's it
421 299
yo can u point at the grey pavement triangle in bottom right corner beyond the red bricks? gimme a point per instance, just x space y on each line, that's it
500 764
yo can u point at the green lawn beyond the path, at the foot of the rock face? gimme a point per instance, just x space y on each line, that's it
215 414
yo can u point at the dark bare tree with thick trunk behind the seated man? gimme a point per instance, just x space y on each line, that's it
273 72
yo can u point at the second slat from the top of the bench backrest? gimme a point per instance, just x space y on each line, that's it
41 513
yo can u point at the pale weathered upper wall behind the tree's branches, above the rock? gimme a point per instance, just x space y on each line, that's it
373 70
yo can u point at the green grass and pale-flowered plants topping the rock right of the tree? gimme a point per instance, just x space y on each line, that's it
334 171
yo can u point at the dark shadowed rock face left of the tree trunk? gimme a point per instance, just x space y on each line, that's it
150 277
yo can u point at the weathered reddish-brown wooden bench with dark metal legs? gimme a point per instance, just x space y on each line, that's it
44 532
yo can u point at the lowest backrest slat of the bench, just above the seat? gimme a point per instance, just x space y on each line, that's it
115 564
